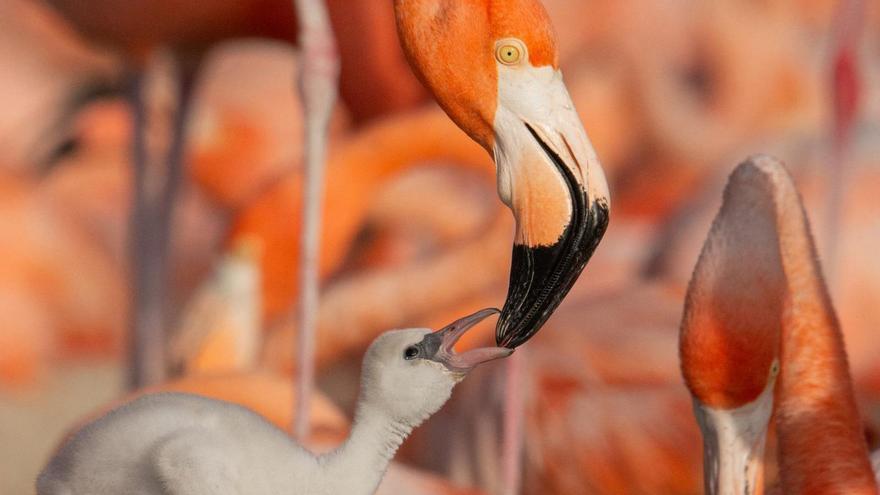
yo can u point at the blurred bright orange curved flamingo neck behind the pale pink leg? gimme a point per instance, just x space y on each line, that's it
381 151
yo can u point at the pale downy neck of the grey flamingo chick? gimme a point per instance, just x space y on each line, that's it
358 466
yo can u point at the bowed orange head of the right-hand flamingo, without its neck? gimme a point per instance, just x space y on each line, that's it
730 333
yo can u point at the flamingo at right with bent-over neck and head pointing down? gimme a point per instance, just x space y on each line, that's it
758 312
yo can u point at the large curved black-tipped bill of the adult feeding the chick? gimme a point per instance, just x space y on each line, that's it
550 177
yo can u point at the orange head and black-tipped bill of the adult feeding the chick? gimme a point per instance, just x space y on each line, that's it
493 67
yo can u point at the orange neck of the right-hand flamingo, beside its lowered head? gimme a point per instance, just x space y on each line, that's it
821 443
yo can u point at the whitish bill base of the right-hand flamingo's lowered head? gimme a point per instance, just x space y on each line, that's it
733 443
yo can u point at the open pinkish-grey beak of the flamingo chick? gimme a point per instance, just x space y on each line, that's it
444 342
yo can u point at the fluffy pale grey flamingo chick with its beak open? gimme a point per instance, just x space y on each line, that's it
172 443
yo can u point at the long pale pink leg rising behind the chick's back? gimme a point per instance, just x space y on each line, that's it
318 80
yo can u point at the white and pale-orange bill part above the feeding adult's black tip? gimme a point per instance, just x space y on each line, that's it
528 179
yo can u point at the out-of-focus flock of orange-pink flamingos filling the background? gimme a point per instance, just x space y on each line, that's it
673 93
